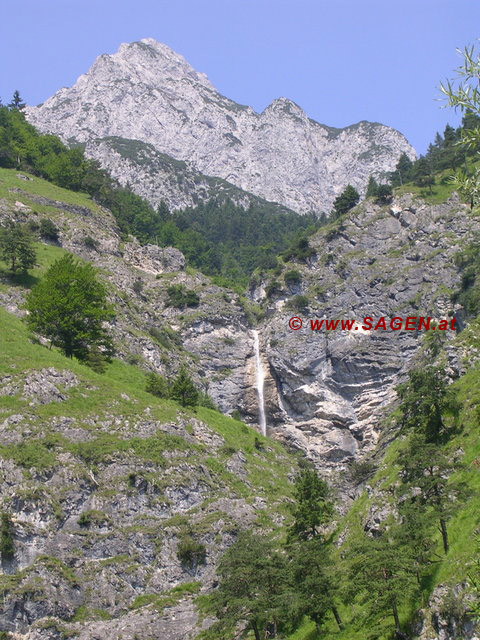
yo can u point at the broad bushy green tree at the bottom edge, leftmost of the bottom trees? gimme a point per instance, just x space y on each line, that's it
254 593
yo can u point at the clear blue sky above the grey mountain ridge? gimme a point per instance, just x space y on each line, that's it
341 60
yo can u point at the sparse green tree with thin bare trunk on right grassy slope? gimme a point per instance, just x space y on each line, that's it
426 469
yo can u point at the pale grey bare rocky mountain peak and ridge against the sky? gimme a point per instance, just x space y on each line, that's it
146 93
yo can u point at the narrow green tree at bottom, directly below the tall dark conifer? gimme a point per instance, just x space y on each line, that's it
316 579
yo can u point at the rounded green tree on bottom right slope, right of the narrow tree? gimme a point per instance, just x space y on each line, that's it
381 577
